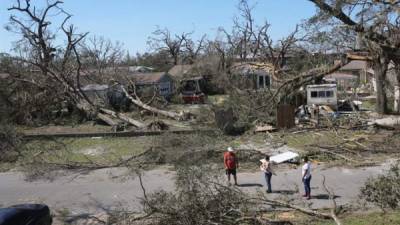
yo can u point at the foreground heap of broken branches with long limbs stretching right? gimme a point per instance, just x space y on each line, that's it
201 198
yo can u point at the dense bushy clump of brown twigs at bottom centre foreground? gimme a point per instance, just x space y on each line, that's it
198 200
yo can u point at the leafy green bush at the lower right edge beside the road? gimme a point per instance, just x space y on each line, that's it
384 190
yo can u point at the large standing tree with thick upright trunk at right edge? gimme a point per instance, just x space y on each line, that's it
378 32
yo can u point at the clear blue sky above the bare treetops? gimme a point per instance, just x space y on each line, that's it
132 21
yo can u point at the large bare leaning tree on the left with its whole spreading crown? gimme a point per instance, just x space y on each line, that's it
56 69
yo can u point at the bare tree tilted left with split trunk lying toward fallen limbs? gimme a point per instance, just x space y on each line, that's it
58 65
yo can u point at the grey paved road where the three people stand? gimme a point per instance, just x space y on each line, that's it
92 191
